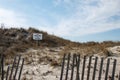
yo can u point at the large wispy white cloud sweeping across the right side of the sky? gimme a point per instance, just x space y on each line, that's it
89 17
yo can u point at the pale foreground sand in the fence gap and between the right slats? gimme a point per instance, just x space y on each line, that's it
36 70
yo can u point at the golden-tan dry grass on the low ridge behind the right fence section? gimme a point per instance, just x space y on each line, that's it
90 48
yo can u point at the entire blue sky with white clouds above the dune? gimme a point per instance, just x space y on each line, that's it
76 20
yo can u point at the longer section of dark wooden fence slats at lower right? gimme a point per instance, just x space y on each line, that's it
89 68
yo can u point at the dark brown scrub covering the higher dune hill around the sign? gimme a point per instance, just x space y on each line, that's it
15 40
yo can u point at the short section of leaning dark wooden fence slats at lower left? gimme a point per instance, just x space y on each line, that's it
13 71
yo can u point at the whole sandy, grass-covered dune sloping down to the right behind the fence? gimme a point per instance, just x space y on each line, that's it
43 61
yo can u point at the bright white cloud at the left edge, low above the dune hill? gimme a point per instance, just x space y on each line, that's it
11 18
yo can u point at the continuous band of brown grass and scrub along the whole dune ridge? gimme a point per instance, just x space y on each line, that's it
13 41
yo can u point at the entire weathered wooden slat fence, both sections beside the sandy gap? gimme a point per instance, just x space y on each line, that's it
73 68
